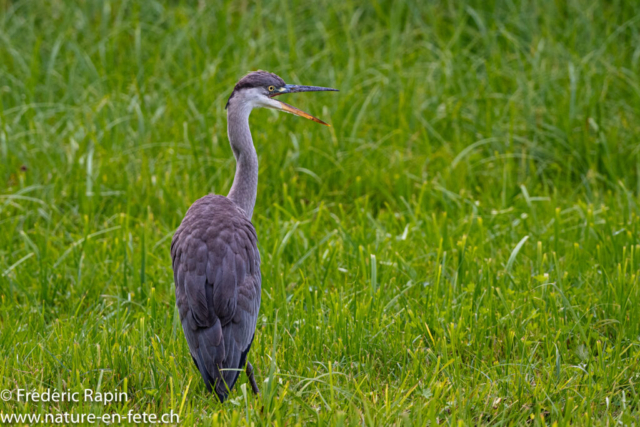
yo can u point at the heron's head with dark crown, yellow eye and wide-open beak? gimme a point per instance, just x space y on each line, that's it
259 88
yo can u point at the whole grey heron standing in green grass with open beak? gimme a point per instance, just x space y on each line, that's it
214 252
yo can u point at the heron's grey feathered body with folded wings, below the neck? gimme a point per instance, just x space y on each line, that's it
216 268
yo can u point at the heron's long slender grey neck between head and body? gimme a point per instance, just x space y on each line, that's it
245 182
